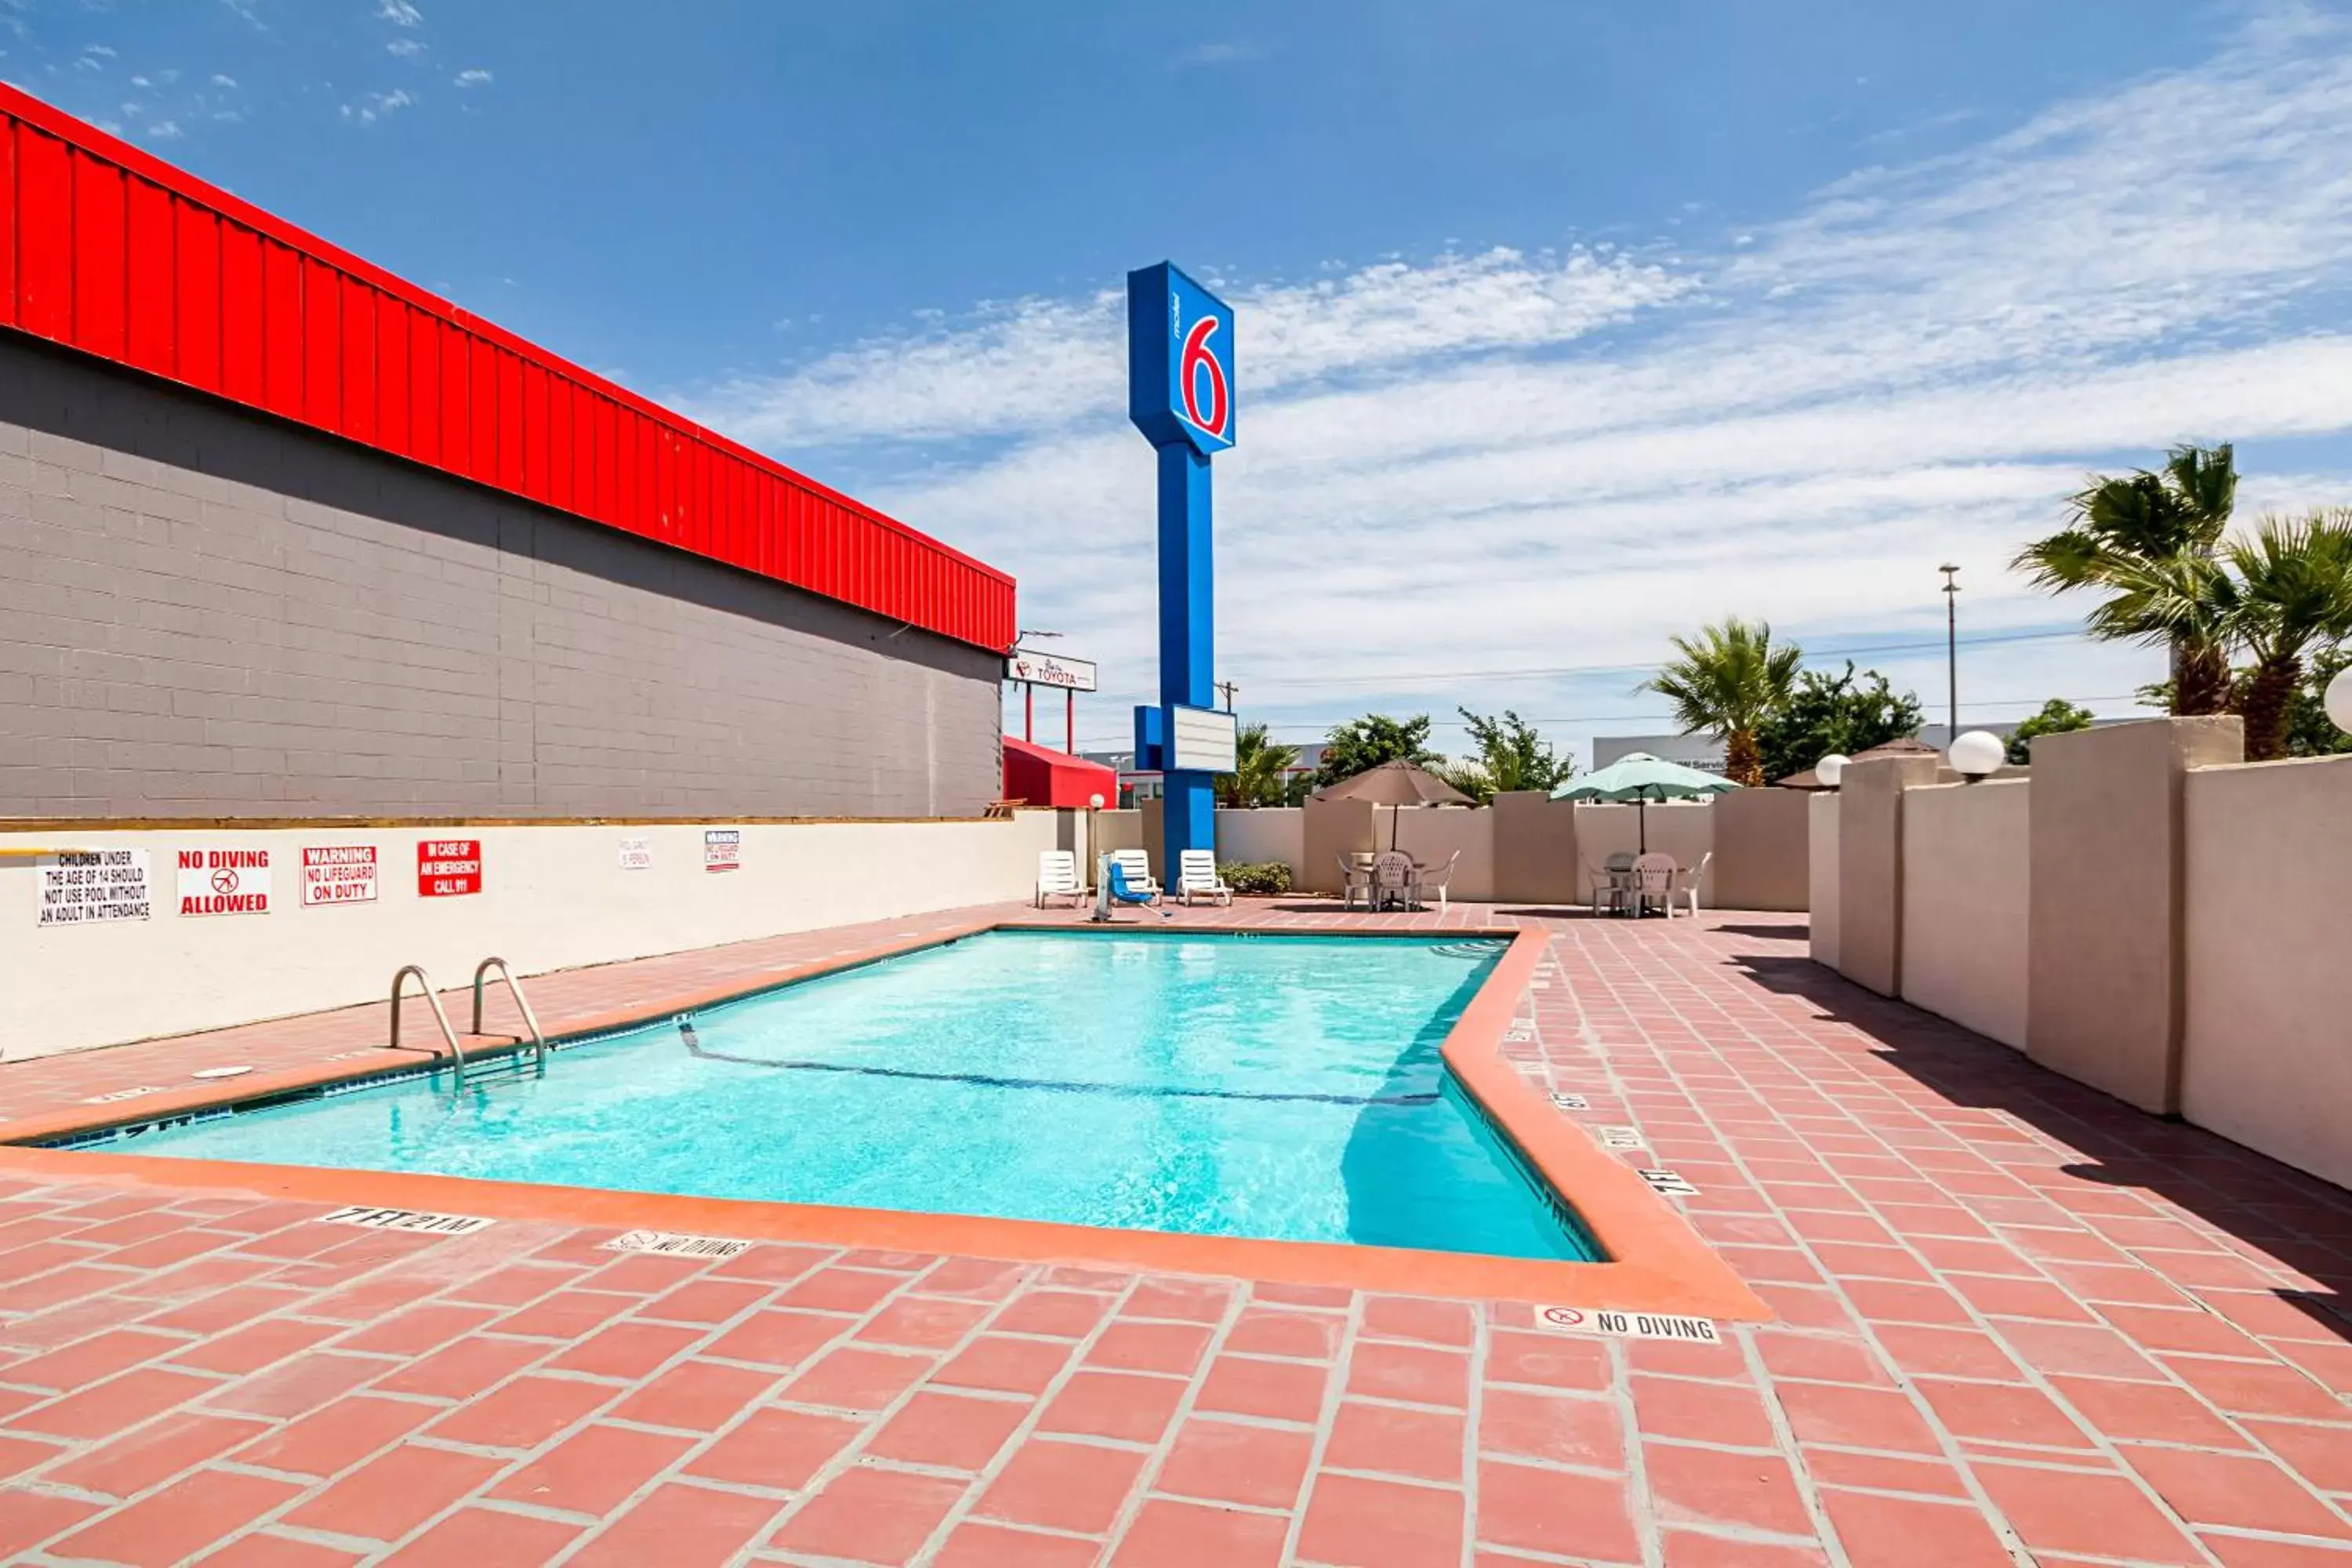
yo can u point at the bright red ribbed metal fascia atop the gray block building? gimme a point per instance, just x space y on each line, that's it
323 366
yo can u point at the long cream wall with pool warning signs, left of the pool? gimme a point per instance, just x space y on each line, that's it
554 897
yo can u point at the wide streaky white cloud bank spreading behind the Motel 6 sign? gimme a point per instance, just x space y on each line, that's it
1499 462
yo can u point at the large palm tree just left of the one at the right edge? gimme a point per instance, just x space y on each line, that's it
2153 523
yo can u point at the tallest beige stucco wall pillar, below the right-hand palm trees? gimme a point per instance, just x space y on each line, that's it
2106 979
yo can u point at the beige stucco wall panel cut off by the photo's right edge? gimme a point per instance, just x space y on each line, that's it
2269 932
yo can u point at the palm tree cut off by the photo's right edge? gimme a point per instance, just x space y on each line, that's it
2287 591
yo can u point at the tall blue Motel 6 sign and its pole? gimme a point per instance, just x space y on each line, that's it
1182 396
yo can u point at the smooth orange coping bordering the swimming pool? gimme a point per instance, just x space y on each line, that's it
1655 1259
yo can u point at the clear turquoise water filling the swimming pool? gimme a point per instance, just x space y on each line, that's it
1234 1087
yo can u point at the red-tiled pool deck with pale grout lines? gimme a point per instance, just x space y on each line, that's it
2017 1325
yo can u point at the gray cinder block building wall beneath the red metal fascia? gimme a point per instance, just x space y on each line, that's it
206 612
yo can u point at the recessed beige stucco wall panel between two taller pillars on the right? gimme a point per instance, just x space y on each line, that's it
1965 904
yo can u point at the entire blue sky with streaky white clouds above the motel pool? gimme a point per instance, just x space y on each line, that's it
1563 326
